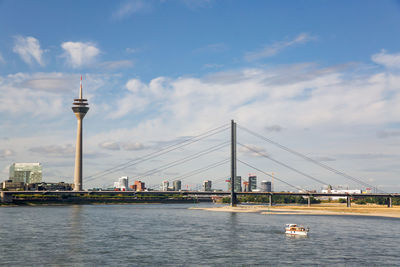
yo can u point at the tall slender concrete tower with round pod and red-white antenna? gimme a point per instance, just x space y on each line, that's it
80 108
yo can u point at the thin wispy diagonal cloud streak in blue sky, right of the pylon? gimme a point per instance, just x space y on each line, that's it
275 48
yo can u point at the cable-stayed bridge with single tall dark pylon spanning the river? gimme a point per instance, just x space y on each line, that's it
230 162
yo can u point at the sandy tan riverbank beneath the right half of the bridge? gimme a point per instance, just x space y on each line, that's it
316 209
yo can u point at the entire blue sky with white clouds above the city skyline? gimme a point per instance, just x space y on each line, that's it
319 77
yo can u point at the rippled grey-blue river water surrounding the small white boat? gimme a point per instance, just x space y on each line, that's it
173 235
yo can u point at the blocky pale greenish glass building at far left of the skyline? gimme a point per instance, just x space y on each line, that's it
26 172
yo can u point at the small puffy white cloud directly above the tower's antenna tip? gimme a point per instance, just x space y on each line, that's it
80 54
